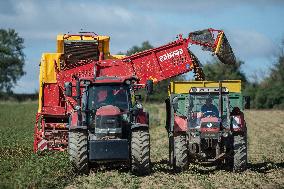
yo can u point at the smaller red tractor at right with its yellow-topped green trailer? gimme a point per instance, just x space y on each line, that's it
206 124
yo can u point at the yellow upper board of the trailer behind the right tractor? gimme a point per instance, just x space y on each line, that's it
183 87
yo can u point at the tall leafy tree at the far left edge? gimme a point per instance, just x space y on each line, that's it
11 59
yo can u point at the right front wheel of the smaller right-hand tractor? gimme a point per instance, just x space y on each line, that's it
239 159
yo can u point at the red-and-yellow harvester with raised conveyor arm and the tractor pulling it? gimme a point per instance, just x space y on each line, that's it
87 100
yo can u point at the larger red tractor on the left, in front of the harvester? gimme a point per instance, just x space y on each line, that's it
107 124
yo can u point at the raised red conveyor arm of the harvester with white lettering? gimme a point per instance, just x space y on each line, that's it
171 59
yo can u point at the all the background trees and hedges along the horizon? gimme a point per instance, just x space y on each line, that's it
265 94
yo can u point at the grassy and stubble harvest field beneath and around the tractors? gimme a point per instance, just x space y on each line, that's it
20 168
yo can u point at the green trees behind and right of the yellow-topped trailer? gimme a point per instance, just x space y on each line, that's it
265 94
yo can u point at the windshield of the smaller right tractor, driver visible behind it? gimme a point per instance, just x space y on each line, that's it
206 105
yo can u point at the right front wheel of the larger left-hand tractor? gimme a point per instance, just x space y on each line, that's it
140 152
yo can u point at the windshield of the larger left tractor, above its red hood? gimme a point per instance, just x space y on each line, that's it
102 95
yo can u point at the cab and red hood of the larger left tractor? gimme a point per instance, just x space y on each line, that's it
108 107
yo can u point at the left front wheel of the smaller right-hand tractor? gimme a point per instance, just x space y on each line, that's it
180 153
